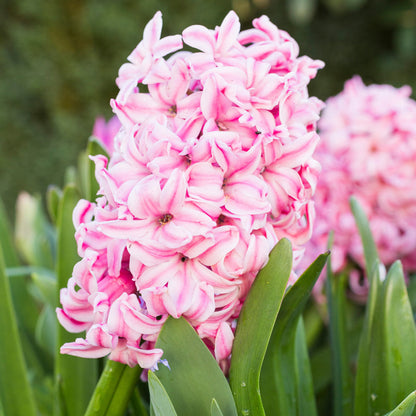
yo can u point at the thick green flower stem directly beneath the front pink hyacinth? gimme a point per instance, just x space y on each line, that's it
114 389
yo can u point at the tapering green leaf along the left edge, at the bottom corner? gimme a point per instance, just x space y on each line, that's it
15 393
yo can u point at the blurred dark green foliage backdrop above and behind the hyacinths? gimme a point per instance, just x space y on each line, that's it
59 59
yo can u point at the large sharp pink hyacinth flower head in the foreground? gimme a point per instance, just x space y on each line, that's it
211 167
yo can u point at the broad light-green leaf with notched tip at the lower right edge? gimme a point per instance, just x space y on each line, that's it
386 368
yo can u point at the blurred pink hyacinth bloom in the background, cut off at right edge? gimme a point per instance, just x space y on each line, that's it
367 149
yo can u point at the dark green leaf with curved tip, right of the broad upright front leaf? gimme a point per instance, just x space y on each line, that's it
286 379
